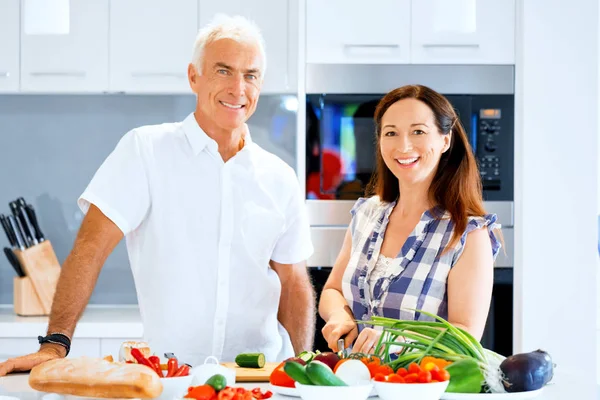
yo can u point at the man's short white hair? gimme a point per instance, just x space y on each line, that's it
222 26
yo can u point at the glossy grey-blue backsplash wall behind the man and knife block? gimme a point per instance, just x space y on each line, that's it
51 146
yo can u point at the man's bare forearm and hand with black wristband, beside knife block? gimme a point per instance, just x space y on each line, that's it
95 240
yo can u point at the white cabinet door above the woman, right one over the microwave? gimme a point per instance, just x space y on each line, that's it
463 32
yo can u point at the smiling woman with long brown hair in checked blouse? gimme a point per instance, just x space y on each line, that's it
422 240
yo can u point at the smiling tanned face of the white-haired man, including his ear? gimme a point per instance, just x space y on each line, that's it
229 84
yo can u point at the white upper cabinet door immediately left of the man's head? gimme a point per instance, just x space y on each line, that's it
151 45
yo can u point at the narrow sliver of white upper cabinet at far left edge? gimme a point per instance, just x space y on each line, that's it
9 46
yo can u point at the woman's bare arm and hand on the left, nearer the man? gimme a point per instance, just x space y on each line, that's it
333 307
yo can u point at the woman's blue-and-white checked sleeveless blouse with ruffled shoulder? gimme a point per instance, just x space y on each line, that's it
418 280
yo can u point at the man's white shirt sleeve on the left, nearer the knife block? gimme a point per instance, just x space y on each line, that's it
120 187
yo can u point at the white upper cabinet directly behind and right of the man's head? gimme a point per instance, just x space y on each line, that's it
274 19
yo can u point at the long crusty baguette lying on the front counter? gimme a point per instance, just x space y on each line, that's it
94 377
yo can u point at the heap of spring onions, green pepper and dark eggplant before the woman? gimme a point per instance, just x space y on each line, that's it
472 368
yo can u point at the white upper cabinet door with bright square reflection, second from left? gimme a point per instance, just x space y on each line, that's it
73 62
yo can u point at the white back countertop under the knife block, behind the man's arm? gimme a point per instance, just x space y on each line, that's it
96 322
